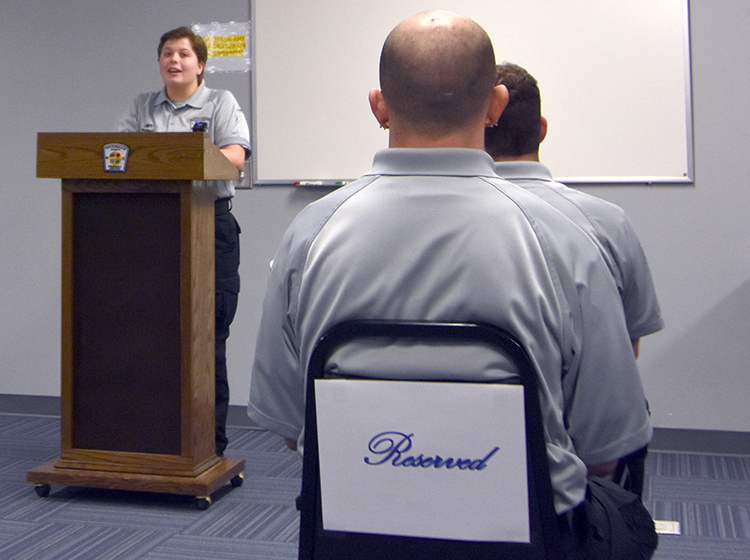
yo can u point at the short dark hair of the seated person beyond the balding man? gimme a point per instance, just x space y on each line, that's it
517 131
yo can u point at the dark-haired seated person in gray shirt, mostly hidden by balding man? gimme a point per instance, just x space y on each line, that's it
513 142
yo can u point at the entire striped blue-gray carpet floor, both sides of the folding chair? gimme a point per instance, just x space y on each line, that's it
709 495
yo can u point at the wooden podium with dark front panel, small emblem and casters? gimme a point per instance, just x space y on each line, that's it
137 312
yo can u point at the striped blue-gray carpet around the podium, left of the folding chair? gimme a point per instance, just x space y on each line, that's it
257 520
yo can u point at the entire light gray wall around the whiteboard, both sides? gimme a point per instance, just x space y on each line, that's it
71 69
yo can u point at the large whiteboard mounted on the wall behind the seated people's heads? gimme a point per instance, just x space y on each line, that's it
614 77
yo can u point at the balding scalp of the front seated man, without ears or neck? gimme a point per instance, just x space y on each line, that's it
437 71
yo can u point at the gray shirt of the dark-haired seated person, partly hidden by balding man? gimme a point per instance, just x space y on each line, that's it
611 231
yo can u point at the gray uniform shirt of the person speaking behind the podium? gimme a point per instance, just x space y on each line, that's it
155 112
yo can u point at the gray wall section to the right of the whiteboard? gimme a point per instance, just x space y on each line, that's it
696 372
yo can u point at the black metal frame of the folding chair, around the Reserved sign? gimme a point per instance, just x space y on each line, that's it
320 543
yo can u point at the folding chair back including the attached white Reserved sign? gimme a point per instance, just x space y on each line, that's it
419 463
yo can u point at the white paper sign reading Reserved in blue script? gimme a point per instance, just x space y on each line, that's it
437 460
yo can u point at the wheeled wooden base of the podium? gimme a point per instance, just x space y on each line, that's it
225 471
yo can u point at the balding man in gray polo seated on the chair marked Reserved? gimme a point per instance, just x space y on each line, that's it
431 233
